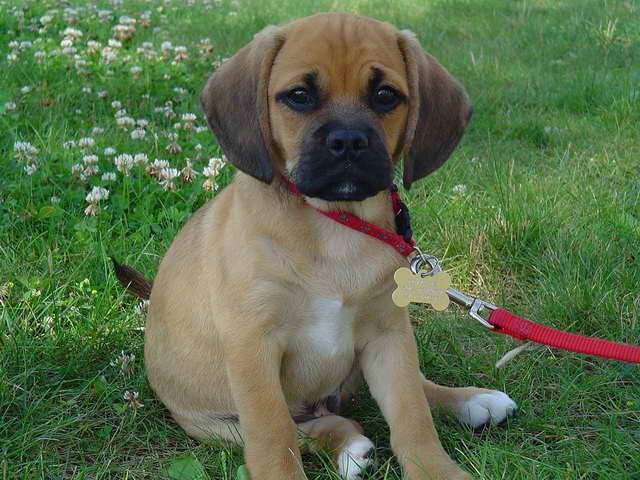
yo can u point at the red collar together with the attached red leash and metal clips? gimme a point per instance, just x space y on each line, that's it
500 320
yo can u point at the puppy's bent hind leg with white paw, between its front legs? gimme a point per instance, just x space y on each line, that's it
351 450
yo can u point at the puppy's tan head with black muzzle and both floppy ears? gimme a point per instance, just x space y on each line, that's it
335 100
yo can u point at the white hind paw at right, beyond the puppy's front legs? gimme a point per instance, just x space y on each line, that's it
493 407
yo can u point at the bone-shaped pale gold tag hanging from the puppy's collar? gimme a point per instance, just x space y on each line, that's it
416 288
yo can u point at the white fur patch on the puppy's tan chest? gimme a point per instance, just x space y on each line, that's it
330 329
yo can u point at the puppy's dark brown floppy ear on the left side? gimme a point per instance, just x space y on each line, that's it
236 105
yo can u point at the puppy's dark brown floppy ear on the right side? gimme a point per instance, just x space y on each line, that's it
439 111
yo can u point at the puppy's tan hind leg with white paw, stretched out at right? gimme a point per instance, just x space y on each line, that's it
471 405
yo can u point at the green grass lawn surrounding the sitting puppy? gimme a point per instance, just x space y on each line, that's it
538 210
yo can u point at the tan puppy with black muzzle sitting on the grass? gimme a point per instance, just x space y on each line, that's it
265 315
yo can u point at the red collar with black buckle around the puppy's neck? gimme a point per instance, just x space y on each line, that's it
404 245
